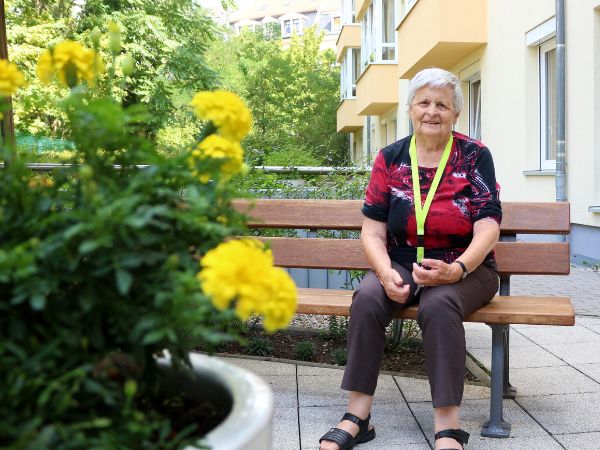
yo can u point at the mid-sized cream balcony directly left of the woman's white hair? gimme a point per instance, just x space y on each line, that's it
377 89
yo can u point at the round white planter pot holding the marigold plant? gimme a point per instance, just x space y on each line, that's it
249 425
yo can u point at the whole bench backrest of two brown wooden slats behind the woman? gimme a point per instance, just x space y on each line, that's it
512 257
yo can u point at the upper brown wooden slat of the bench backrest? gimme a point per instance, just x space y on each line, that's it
542 218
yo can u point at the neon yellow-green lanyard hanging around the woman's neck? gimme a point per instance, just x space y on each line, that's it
422 210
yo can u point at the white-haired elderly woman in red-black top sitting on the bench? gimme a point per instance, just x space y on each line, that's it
432 215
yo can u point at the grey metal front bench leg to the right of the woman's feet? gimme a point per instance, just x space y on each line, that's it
496 427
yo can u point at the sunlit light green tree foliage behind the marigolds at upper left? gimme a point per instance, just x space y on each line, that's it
166 39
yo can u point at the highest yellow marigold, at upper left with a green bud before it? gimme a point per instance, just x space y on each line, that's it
71 62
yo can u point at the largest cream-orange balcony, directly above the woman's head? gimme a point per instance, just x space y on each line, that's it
440 33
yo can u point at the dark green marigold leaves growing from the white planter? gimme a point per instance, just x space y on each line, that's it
98 276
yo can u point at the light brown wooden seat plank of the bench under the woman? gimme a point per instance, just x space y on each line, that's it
501 310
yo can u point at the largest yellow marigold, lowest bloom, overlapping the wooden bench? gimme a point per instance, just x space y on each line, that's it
242 272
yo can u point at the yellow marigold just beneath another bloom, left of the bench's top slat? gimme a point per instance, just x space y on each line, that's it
217 147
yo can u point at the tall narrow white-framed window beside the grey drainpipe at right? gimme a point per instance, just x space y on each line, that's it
547 55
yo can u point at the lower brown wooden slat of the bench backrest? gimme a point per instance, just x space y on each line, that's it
522 258
